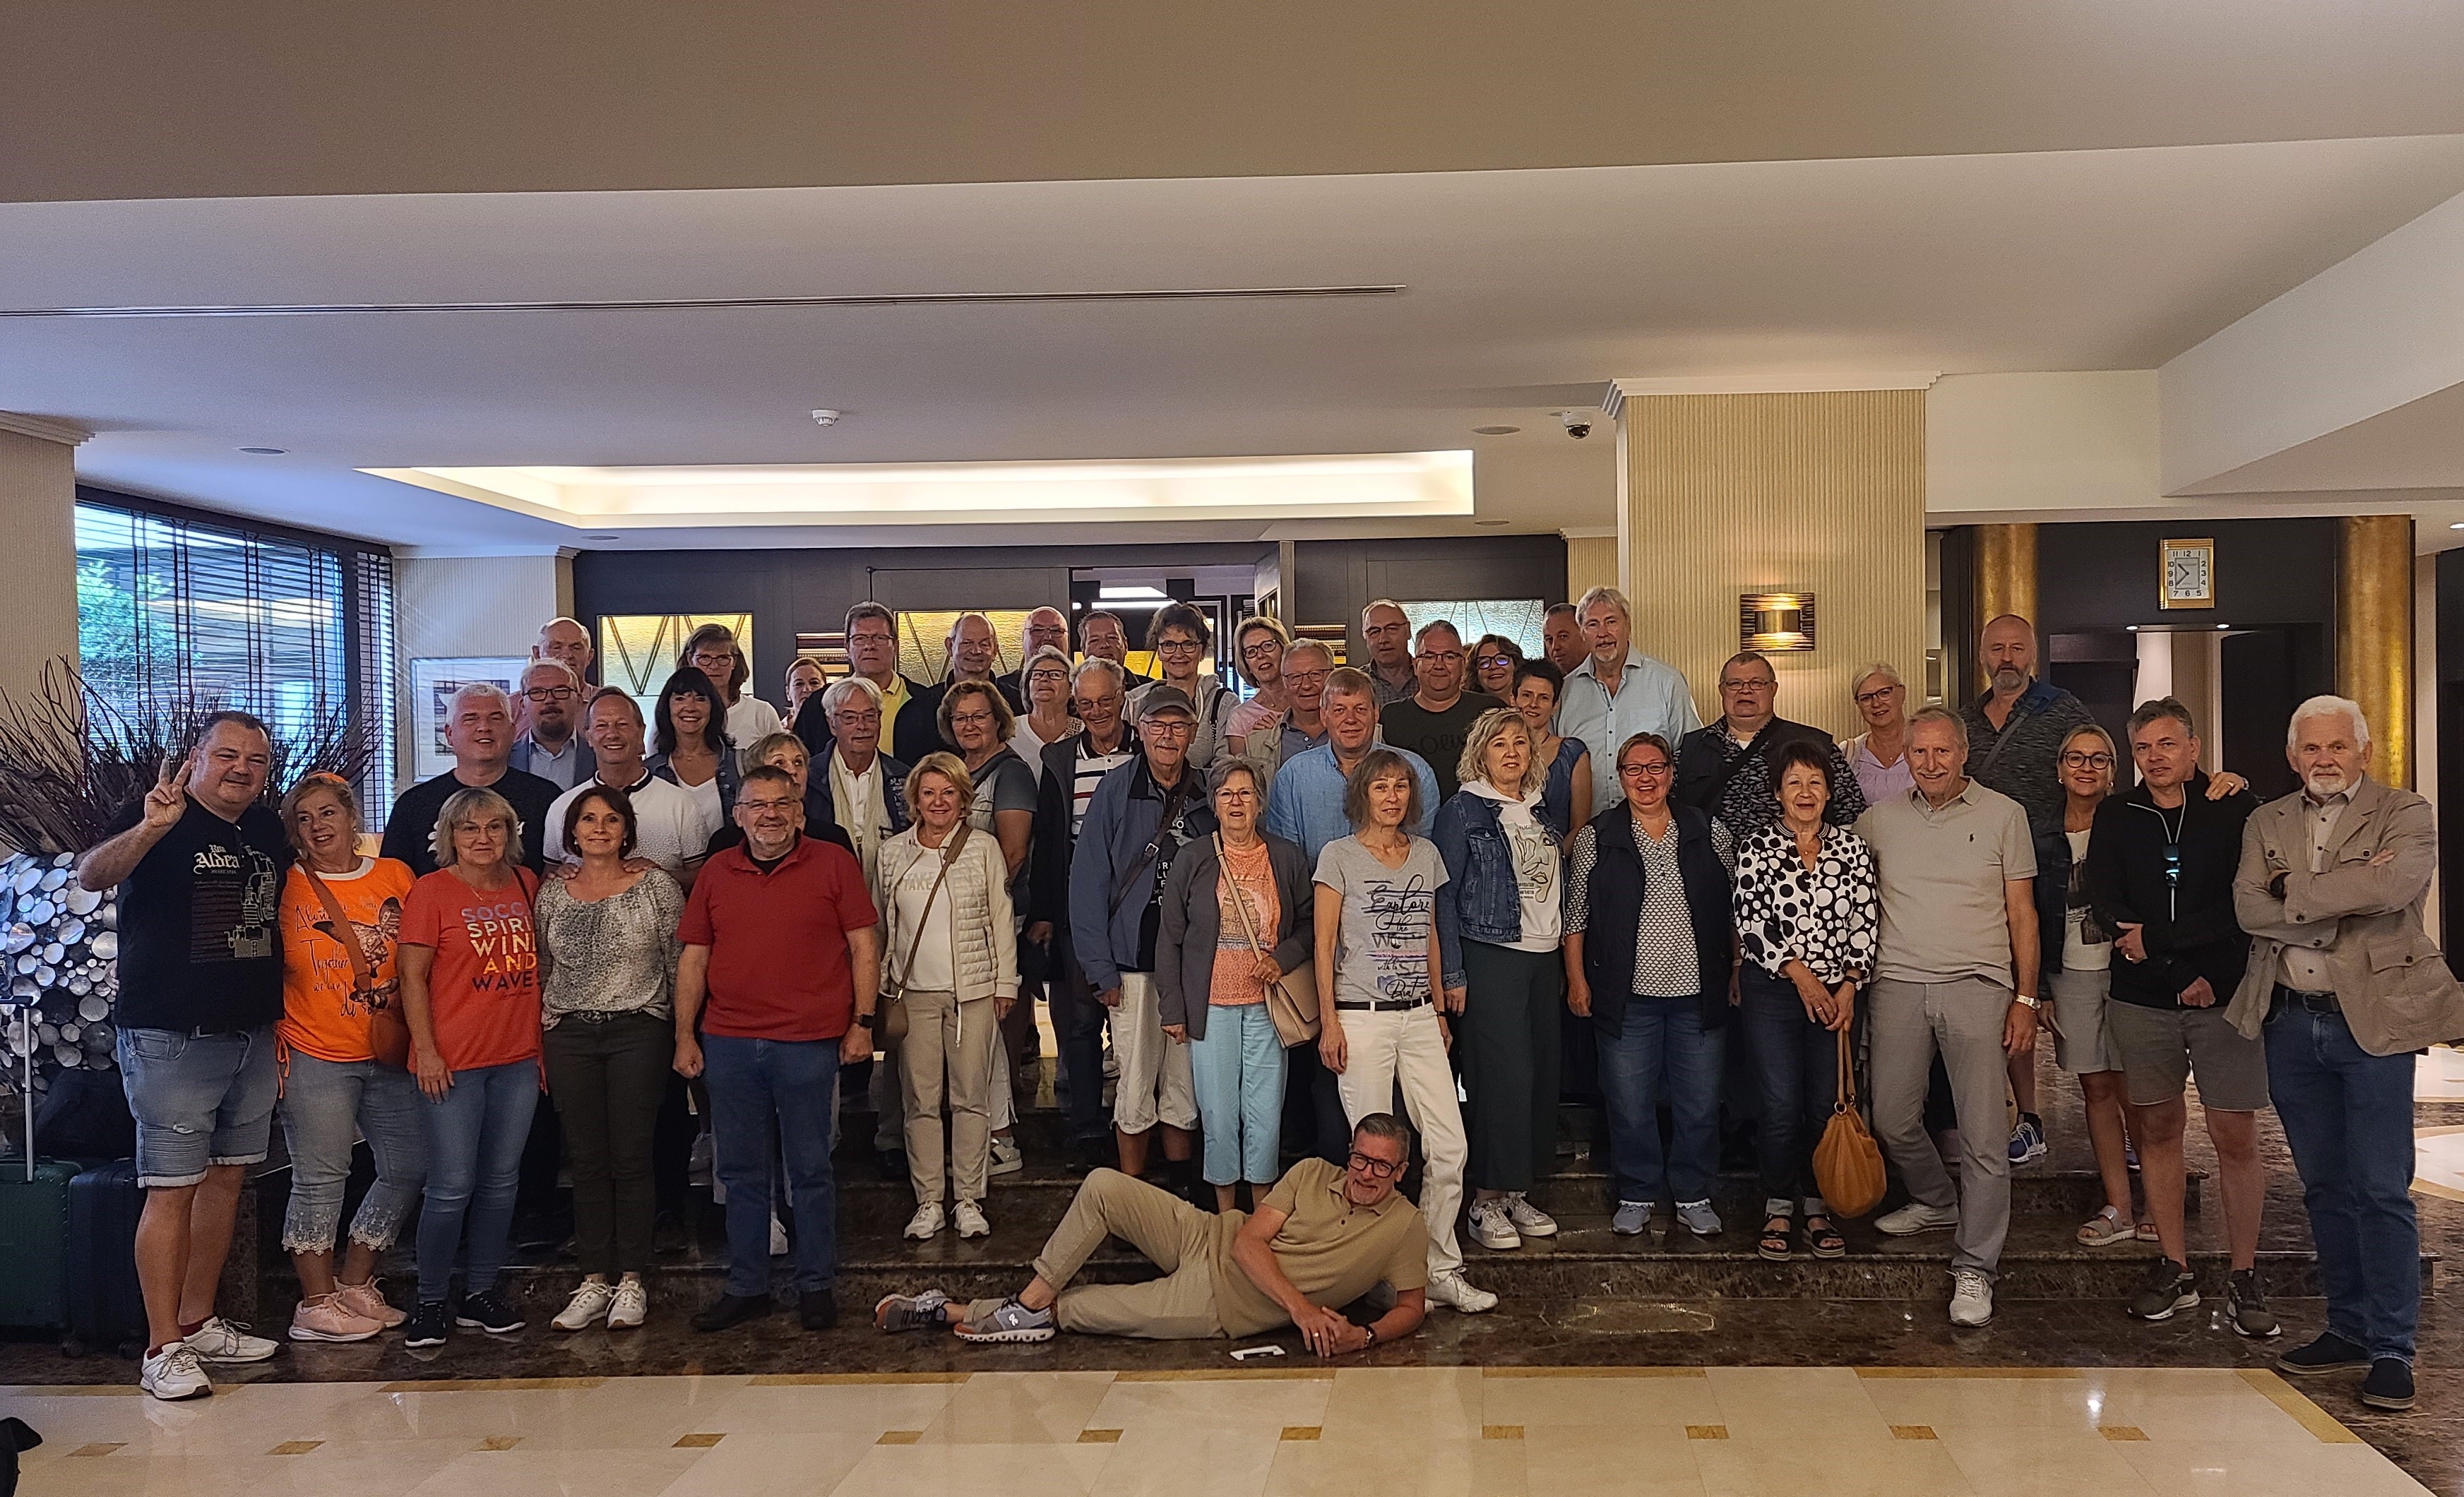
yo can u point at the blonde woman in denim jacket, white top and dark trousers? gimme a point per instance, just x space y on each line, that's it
1504 885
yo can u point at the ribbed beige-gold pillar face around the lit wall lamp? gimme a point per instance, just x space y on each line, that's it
1733 494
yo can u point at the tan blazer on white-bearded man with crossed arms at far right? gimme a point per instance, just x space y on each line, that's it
2389 974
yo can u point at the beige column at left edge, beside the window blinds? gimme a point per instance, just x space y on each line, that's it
38 565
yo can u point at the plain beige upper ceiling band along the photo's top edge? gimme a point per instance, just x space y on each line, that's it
309 97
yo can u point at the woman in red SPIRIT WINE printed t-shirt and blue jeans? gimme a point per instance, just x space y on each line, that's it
472 996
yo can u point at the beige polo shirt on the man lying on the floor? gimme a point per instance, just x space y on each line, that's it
1329 1250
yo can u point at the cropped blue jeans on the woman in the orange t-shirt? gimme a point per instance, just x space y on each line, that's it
326 1104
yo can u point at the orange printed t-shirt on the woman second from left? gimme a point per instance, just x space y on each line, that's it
324 1011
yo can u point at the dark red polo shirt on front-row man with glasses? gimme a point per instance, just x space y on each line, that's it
780 942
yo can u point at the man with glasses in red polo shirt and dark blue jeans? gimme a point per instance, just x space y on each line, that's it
780 969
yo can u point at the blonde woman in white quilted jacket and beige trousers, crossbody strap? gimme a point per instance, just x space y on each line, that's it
950 959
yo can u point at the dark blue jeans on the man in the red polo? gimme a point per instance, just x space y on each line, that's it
795 1087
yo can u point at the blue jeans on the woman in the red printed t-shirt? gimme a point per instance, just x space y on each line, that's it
477 1139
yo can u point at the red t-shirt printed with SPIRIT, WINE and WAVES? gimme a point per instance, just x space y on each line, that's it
484 989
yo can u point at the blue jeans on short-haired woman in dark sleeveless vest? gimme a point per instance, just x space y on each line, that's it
1660 1048
